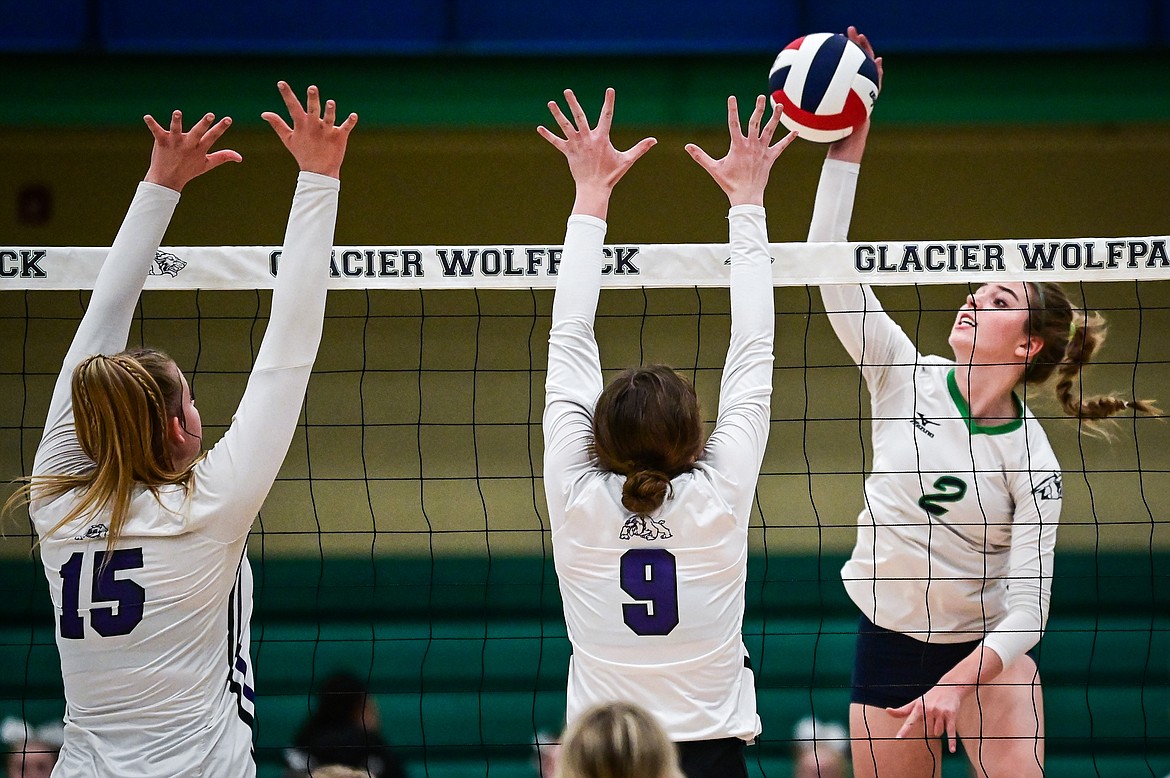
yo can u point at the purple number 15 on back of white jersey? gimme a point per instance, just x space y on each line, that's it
106 588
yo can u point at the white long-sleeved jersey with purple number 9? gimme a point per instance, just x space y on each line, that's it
655 607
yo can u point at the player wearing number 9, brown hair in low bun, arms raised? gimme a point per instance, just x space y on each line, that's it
650 526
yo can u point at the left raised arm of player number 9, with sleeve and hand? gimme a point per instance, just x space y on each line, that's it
574 381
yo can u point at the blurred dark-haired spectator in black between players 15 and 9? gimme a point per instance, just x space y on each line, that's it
345 729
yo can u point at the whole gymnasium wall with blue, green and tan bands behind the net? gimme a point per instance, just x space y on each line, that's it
1026 123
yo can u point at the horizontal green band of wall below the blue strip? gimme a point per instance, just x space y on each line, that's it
497 92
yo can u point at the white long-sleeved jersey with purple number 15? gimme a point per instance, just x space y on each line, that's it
154 637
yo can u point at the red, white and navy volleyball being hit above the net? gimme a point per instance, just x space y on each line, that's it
827 85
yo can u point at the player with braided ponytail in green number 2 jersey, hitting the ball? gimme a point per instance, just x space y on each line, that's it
953 566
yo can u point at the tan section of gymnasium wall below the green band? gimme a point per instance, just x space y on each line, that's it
463 187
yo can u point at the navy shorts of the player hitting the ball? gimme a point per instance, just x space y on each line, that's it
891 670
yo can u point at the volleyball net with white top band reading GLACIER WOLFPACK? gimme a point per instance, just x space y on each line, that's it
407 539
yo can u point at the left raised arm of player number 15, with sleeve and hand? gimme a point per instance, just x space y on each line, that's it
177 159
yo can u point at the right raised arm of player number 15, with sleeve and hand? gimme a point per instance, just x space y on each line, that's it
237 474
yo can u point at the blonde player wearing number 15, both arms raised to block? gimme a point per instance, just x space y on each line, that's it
142 538
